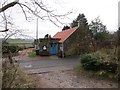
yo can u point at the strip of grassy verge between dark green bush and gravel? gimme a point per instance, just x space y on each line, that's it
97 74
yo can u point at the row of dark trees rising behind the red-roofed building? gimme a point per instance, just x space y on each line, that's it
97 31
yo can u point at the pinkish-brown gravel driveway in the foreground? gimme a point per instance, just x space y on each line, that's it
69 79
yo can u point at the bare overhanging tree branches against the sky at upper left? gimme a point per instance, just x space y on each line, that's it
37 8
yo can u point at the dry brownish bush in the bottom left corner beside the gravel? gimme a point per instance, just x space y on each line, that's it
14 77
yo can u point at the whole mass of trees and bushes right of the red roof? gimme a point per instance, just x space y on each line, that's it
98 48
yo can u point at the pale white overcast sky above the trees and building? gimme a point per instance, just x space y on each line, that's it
107 10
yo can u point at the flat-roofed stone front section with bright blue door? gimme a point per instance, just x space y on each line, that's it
48 46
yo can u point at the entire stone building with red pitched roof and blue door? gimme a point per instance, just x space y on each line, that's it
72 41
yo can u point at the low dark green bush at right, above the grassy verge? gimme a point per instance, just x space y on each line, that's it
90 62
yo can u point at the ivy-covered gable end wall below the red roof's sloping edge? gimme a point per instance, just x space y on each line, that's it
79 42
